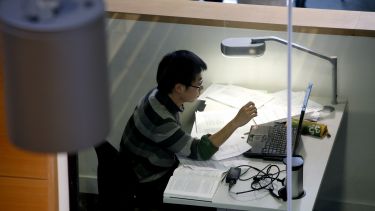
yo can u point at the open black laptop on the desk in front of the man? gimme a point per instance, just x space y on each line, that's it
268 141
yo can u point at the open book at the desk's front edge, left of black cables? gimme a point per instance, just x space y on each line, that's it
193 182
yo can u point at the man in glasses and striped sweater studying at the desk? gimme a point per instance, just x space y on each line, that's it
153 135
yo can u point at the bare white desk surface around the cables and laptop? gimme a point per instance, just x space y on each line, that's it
316 153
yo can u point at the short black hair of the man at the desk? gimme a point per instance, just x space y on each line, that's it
180 66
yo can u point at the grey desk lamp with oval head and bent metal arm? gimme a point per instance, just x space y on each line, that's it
245 46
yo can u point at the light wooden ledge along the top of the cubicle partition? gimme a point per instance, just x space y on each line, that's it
251 16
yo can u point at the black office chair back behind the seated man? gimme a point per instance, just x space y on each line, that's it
116 181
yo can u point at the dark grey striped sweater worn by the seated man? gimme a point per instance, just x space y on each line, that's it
153 136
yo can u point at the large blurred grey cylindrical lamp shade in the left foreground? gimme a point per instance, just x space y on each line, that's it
56 79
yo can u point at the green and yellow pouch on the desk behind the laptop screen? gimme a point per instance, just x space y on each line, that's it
312 128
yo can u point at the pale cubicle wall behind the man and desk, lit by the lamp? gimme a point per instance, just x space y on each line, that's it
136 47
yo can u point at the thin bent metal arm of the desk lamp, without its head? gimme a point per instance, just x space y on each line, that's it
331 59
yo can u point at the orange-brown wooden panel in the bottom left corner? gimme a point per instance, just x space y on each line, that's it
23 194
